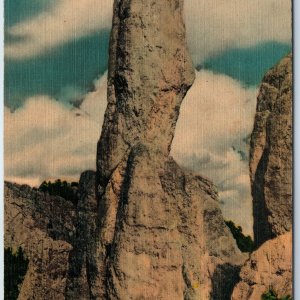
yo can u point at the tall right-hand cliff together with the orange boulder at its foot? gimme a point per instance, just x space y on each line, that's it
270 266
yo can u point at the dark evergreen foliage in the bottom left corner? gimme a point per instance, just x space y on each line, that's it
15 268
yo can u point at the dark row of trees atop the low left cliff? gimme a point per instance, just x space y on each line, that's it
60 188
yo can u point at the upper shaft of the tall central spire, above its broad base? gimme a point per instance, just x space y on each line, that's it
150 71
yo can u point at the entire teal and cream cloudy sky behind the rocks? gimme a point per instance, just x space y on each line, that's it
55 88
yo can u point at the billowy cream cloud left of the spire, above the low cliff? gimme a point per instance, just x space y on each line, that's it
46 140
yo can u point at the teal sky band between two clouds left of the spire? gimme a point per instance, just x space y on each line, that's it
66 73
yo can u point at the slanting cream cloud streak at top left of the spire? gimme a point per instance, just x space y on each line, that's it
66 20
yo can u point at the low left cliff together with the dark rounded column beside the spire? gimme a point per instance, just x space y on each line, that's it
57 238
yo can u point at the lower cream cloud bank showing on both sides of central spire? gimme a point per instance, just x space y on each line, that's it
45 140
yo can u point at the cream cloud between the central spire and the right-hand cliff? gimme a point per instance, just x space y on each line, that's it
216 115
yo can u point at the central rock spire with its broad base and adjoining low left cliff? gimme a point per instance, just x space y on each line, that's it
143 228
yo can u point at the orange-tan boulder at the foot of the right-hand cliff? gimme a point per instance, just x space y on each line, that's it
269 268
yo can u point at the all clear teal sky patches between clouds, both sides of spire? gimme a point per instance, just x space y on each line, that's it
67 72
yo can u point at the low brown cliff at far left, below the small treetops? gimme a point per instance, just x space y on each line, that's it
43 227
